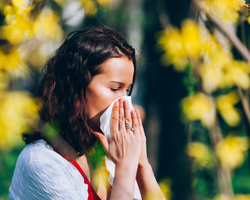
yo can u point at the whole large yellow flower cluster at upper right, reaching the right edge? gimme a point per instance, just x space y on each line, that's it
212 63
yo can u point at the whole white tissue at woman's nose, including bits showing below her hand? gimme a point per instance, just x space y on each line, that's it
105 125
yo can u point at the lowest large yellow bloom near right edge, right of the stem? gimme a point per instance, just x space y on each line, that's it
230 151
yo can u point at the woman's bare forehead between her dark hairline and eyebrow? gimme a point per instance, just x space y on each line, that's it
118 68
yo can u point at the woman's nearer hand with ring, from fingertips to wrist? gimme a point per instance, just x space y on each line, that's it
125 144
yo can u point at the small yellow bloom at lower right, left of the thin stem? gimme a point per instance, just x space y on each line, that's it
201 154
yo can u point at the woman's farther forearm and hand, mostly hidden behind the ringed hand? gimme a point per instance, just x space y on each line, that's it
145 175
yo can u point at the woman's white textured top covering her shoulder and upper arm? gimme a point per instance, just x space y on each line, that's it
41 173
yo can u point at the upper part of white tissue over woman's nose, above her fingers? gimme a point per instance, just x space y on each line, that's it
105 119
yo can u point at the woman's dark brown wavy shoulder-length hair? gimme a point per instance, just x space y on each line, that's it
67 75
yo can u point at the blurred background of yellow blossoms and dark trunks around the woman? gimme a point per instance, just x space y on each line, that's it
192 85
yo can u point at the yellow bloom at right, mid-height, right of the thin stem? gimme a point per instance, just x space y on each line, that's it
225 105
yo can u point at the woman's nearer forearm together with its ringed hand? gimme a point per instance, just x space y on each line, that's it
124 149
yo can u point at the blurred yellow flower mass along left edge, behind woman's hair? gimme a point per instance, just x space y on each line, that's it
30 31
